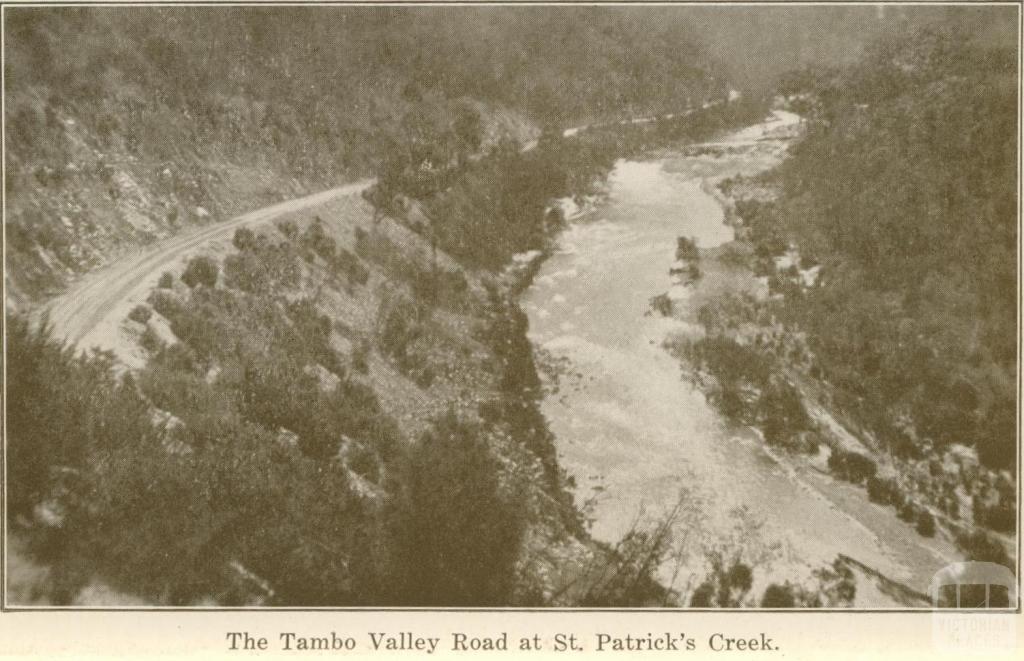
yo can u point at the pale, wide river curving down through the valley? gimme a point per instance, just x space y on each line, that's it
638 437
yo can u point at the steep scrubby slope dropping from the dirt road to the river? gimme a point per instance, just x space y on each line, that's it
331 341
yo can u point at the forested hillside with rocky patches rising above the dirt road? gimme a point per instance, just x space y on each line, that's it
125 125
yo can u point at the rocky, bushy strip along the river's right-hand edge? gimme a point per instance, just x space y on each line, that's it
729 312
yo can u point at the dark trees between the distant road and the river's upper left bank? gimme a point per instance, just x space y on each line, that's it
485 212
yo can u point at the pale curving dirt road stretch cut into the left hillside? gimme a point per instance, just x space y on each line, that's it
91 312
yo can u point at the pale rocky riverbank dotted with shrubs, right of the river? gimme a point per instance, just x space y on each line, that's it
739 310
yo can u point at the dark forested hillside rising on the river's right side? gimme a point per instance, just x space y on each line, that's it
888 243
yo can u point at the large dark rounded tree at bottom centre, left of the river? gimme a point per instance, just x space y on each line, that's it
455 530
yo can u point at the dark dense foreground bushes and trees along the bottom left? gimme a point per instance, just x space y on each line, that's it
224 508
